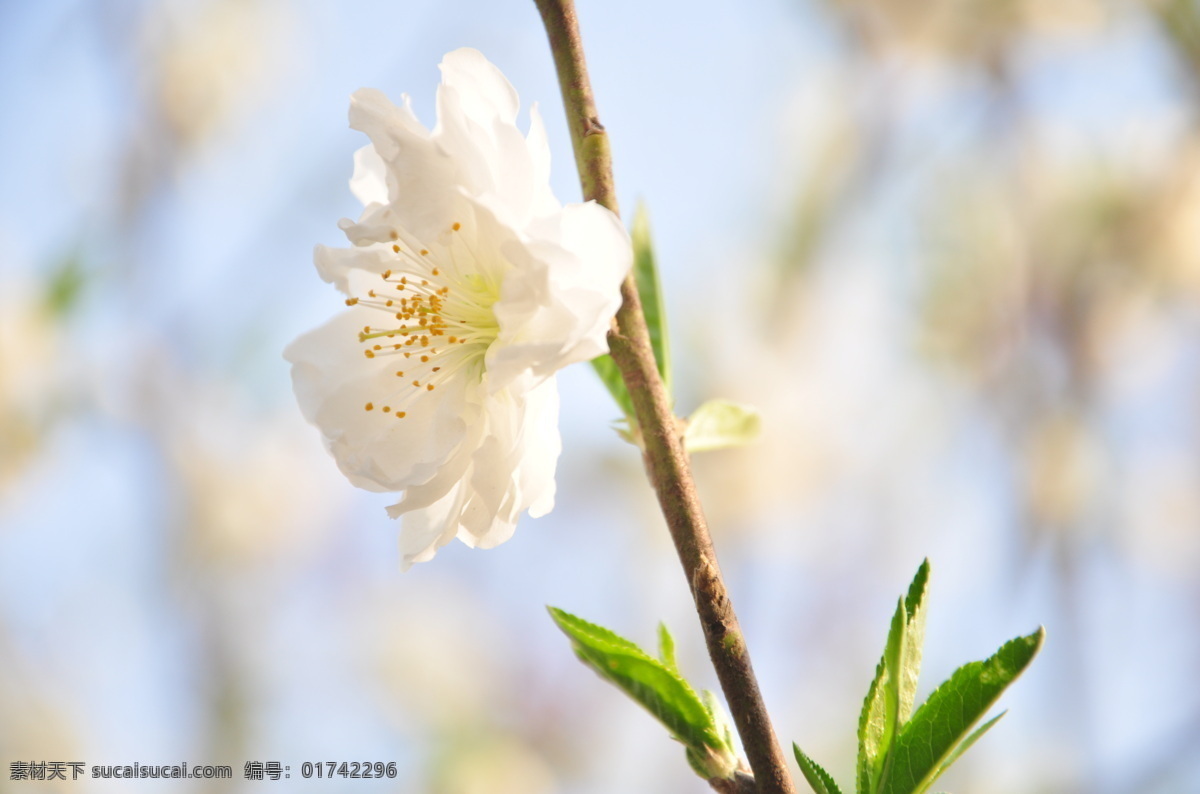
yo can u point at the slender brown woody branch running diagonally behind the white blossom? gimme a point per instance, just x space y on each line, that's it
667 462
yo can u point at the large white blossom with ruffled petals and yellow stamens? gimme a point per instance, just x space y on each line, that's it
470 286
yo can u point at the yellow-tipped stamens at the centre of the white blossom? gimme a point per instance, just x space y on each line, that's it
440 321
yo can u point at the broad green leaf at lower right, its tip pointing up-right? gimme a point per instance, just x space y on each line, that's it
928 743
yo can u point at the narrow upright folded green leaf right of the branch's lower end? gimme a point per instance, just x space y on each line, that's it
891 696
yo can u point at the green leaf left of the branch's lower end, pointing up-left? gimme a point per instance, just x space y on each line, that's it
656 687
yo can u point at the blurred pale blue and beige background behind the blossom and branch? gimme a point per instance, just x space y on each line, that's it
951 249
